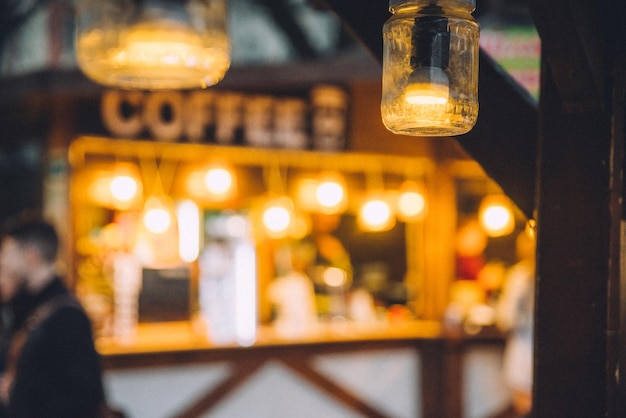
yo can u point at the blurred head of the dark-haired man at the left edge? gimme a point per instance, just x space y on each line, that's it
27 255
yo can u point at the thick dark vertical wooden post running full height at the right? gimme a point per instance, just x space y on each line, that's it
579 212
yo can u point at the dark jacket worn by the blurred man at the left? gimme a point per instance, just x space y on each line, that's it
58 372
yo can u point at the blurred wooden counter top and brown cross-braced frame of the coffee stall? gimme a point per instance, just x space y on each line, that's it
439 378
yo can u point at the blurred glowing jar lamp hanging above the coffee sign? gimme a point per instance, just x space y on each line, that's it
152 44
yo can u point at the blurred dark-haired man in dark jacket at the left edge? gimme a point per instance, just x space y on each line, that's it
49 364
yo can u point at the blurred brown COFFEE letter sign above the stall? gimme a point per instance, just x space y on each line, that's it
229 118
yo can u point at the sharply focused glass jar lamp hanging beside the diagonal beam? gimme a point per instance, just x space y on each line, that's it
430 67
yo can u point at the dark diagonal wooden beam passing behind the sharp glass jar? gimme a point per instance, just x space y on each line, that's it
505 137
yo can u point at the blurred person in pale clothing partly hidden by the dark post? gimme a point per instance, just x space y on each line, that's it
514 315
